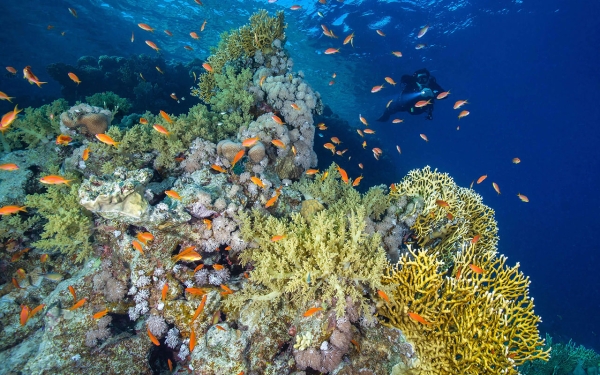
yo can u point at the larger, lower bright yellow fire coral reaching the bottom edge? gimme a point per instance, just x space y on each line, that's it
473 323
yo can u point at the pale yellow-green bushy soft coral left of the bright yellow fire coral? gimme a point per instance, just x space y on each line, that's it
328 259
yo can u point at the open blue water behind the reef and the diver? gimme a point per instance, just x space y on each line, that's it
529 70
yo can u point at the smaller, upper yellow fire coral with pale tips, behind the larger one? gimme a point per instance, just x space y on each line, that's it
440 228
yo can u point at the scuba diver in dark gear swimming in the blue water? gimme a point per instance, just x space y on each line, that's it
420 86
